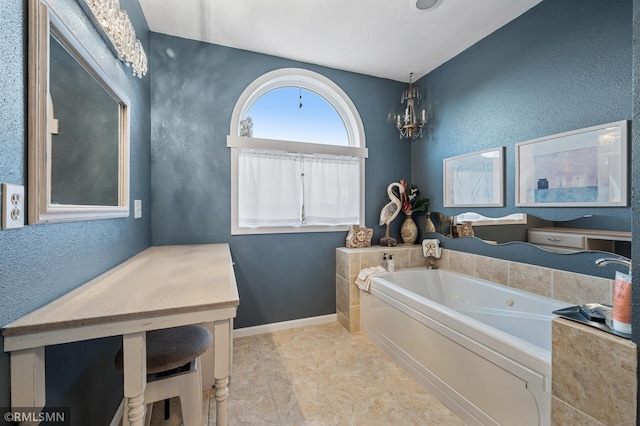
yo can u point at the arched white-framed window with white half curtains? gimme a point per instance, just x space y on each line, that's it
297 156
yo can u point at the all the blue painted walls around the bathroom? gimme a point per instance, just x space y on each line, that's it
565 64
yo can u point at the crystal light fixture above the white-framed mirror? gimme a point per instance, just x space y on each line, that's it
119 32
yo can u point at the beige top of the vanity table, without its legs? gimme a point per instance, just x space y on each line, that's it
158 281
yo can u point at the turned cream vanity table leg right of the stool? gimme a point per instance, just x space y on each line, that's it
222 367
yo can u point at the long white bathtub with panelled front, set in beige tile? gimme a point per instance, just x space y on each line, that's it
482 348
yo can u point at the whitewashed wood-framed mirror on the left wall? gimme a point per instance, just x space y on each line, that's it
78 148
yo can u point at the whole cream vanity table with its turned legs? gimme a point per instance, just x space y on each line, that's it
161 287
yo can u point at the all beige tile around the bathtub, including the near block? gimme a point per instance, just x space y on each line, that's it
594 373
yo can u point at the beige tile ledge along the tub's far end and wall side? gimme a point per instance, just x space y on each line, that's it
560 285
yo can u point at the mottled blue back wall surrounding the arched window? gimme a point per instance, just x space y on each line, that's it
280 277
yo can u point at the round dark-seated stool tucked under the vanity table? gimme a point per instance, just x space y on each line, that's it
173 358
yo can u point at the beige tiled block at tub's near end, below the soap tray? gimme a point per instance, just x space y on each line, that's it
594 376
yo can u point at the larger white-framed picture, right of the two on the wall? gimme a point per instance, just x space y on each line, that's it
586 167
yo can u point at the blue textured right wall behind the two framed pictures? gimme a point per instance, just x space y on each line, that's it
561 66
